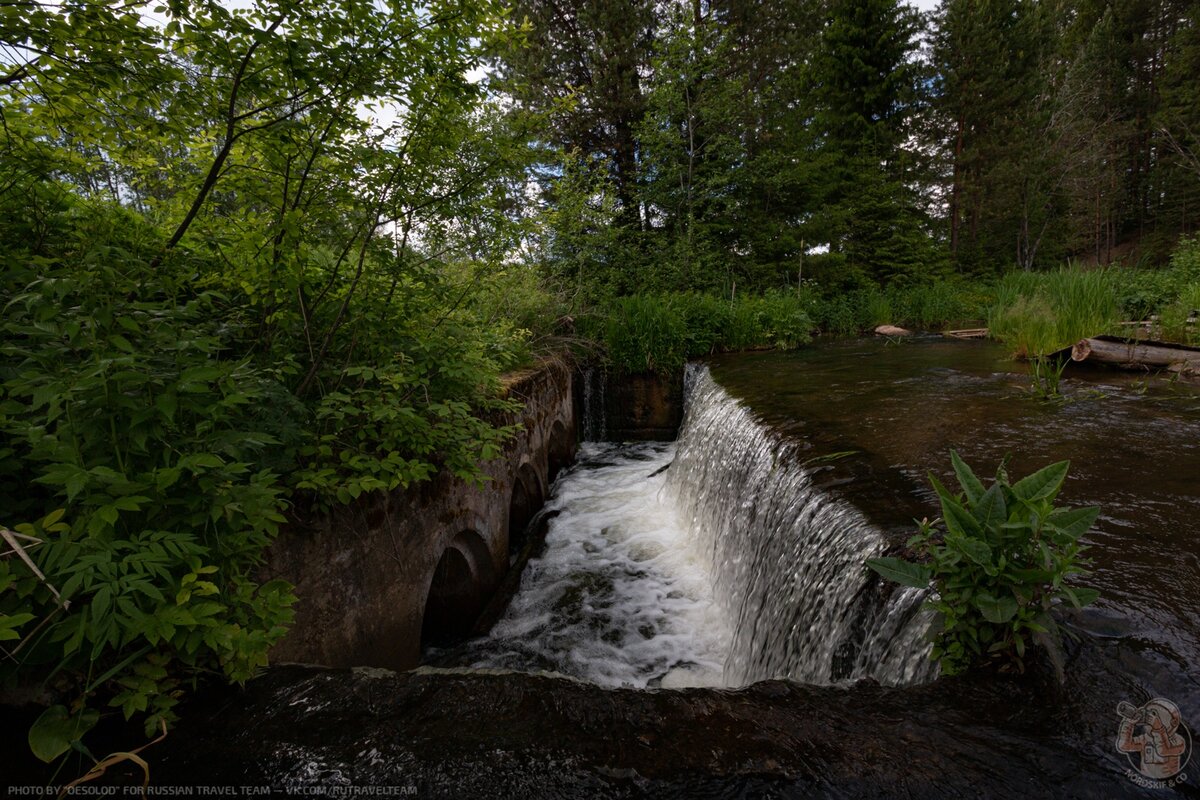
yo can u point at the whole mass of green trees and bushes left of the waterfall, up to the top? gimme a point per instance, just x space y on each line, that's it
212 318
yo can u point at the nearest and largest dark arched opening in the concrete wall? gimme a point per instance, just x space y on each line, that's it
461 586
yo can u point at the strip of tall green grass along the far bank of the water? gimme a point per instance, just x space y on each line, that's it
1036 314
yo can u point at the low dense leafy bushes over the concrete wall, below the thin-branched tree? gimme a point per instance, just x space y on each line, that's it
155 429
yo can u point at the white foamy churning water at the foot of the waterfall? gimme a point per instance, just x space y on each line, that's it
619 598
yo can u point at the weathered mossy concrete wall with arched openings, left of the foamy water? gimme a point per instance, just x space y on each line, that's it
395 570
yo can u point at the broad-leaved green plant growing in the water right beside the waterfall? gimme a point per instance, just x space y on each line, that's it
999 568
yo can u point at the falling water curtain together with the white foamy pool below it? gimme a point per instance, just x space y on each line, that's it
710 562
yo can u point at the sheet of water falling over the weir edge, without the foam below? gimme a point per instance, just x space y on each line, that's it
787 558
